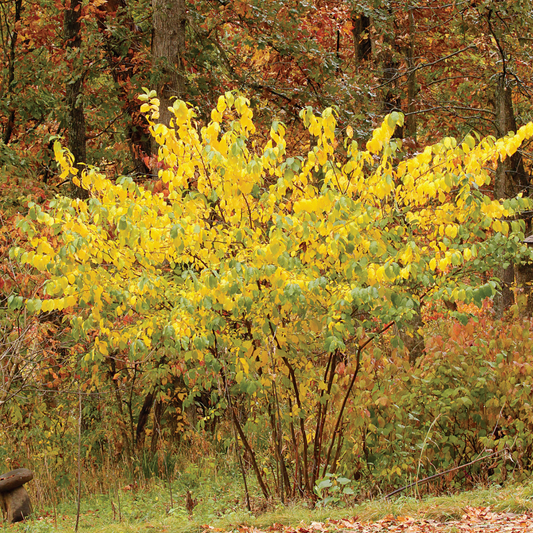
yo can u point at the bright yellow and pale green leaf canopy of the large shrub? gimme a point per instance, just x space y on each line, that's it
265 260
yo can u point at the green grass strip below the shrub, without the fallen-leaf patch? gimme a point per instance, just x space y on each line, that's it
221 505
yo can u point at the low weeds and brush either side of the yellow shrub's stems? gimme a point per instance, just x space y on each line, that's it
466 400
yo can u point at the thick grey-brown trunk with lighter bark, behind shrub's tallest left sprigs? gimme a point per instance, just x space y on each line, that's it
168 47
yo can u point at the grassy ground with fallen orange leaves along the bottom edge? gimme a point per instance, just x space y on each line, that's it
490 509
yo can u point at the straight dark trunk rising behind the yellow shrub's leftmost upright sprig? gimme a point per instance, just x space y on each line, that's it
74 90
